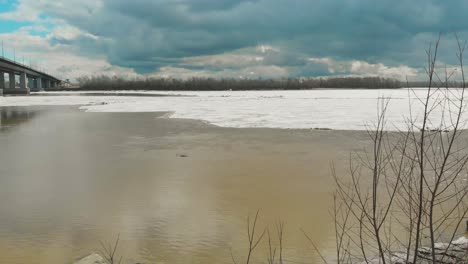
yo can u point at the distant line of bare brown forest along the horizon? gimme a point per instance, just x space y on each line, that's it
208 84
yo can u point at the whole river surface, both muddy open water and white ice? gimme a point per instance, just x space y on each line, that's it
176 174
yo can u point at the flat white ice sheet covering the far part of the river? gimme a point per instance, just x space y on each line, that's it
334 109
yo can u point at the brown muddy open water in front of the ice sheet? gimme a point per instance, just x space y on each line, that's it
177 191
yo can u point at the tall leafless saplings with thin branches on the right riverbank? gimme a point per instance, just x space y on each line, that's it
409 191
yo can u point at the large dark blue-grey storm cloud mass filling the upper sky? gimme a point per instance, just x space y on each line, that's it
148 34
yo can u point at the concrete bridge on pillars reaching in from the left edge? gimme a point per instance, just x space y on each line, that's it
22 79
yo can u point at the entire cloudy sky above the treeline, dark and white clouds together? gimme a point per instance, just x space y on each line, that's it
230 38
